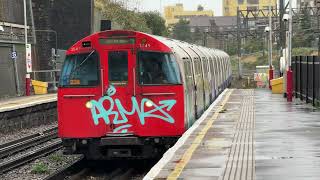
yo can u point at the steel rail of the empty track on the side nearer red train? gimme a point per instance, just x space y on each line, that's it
30 156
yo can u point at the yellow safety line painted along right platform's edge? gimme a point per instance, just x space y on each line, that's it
188 154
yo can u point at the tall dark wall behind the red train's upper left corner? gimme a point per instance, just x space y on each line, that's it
71 19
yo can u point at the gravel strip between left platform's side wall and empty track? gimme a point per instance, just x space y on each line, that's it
4 138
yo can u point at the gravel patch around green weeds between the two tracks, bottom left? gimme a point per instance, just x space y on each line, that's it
51 163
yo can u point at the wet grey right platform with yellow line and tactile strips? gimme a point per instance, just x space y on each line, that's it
247 135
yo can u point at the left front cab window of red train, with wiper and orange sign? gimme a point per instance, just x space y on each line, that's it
80 70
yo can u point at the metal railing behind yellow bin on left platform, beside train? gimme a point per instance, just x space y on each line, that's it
49 76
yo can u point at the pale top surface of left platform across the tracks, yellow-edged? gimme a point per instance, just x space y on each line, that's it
25 101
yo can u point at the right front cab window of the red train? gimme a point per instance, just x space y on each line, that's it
158 68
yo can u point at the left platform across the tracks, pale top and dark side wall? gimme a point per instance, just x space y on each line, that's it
27 112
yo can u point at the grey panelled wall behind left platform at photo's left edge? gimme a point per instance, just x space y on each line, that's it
11 18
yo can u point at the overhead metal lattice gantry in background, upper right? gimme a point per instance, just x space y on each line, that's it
252 22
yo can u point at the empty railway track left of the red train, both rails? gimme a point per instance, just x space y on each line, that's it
25 143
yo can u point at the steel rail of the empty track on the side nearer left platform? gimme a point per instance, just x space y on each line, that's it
27 142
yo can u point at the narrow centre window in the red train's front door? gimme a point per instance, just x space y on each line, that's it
118 67
